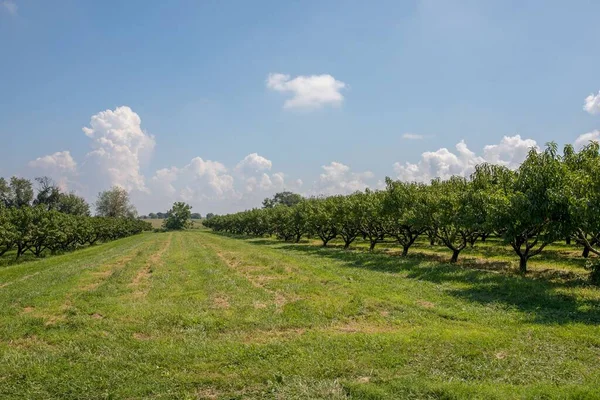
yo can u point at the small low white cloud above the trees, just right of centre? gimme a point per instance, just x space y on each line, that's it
337 178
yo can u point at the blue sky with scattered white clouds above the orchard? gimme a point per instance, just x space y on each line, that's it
223 103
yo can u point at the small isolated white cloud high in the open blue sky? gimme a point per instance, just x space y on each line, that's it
309 92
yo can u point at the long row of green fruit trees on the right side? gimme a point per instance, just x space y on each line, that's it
549 197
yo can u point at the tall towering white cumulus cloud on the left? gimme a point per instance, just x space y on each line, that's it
120 147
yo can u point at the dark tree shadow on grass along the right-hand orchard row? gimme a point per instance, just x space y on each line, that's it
537 295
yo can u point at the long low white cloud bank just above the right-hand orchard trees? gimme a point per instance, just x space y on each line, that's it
443 163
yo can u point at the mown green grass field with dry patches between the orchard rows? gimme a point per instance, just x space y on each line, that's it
199 315
